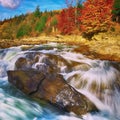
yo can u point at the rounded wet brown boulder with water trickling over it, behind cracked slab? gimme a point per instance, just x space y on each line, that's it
46 63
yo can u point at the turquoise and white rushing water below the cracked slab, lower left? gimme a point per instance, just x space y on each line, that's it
14 105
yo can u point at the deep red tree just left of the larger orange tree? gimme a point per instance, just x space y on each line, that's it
68 19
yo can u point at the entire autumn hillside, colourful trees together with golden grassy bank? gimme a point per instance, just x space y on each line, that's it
94 25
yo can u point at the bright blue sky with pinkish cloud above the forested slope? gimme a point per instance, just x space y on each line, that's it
10 8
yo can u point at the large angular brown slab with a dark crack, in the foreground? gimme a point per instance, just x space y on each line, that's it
51 88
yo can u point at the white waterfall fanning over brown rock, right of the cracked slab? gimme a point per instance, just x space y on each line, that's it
100 82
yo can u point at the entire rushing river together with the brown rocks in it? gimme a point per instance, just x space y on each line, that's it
56 74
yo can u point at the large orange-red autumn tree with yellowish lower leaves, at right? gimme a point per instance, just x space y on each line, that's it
95 16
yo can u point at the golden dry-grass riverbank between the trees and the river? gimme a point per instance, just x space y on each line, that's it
103 46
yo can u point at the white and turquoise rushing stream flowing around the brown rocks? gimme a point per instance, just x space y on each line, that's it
98 80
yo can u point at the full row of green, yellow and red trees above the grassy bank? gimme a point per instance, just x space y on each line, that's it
87 19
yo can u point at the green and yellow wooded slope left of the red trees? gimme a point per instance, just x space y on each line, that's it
28 25
